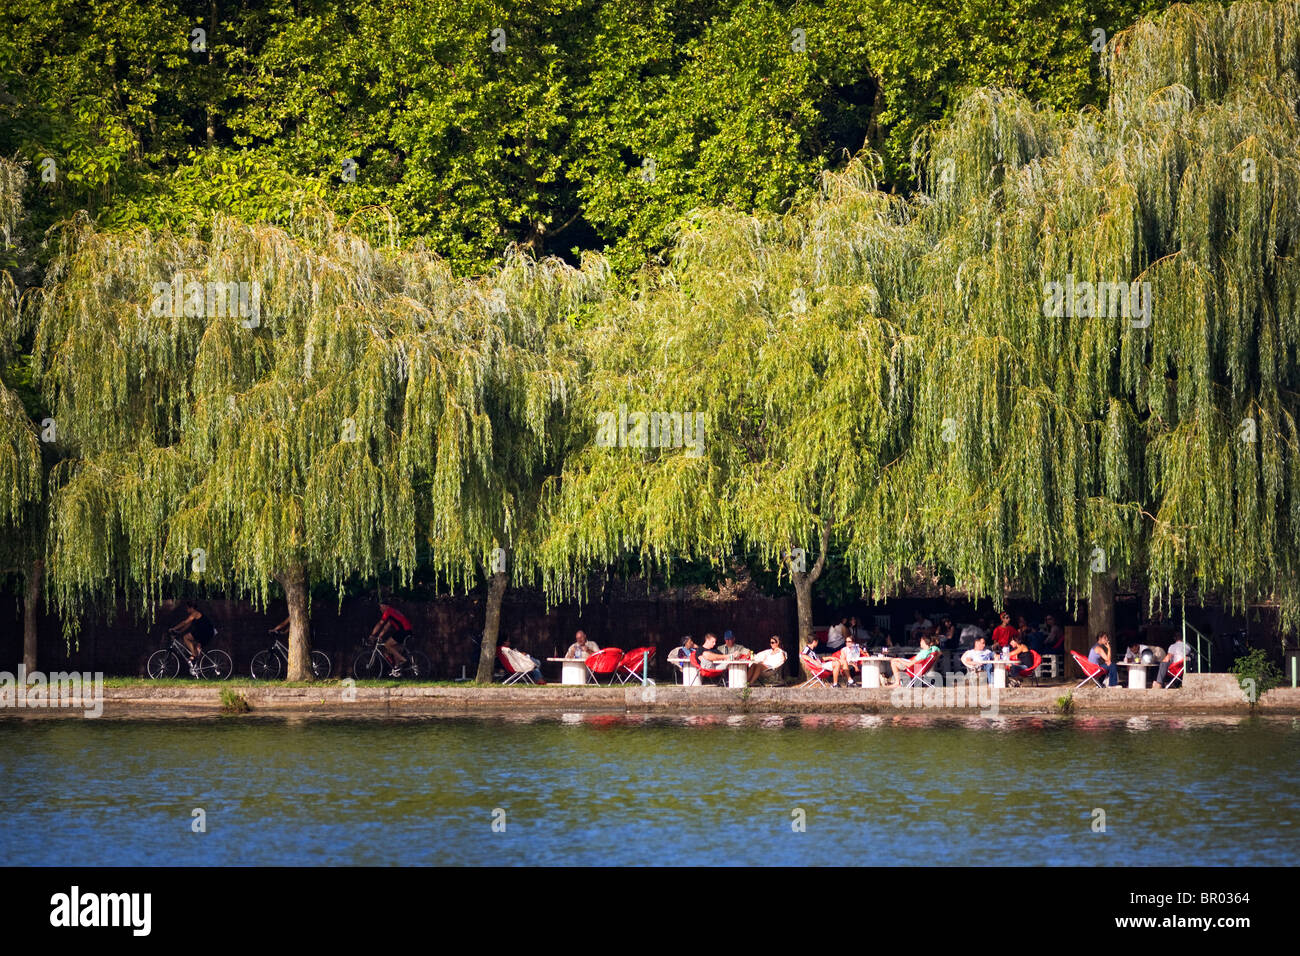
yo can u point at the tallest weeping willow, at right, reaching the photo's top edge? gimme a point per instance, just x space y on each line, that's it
1112 321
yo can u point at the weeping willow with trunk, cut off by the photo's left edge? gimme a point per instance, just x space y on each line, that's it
23 477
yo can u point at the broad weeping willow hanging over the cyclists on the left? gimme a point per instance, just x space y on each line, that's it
289 406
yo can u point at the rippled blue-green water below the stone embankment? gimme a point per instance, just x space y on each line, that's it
587 789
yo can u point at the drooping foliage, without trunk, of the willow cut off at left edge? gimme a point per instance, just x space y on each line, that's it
21 477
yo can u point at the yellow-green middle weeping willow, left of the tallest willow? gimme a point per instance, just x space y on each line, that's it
749 400
